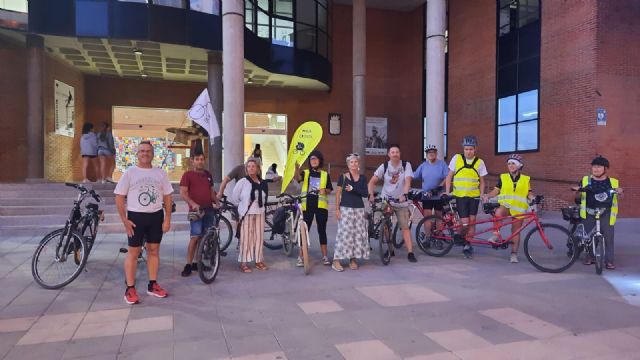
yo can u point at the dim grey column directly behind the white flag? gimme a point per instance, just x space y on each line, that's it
214 86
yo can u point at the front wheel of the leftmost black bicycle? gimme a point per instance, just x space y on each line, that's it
59 259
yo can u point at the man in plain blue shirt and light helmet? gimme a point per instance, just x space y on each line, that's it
433 173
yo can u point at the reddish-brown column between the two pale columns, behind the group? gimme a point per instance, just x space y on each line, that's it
359 78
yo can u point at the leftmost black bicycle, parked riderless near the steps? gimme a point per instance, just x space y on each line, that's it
62 254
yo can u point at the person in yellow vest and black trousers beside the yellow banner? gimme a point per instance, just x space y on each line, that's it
314 178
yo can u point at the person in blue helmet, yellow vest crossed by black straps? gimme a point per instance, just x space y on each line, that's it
465 182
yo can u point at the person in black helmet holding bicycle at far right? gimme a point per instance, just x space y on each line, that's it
599 183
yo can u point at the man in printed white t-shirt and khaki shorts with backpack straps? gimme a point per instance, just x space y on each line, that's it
396 175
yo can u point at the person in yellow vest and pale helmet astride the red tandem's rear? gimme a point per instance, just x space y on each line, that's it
513 192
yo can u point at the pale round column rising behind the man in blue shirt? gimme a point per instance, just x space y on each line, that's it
436 23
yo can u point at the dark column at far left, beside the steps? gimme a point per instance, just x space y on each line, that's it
35 108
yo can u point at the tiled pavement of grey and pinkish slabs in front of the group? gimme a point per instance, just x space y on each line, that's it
439 308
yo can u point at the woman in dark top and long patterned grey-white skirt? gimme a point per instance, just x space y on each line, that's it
352 240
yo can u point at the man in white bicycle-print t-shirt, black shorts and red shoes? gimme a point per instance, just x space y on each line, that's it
146 190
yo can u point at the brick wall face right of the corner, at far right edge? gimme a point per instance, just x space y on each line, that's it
618 82
